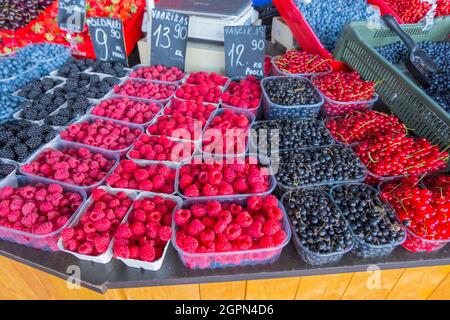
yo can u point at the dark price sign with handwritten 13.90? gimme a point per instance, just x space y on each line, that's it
169 35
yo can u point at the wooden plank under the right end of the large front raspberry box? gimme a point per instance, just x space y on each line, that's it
272 289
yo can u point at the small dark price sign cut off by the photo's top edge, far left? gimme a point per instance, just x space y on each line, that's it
72 15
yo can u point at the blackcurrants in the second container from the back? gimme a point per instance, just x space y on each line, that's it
289 134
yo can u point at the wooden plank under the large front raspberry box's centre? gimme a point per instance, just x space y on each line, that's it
223 290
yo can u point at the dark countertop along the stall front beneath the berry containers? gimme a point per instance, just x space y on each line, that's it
115 274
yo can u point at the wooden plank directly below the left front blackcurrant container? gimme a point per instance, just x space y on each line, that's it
329 287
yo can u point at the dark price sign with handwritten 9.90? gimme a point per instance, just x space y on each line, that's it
107 37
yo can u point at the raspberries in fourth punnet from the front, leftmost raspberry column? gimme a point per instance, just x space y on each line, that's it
127 109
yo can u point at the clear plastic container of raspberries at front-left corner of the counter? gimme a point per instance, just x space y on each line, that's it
47 242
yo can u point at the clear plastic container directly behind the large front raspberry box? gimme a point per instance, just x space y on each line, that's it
264 161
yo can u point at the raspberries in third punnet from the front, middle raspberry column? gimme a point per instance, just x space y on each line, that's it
161 148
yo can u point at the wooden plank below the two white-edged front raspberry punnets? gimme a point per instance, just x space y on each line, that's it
180 292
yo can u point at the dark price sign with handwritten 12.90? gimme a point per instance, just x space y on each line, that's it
245 50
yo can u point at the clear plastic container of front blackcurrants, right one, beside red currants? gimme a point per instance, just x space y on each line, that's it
368 250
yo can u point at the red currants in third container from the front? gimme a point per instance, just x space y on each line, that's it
365 126
